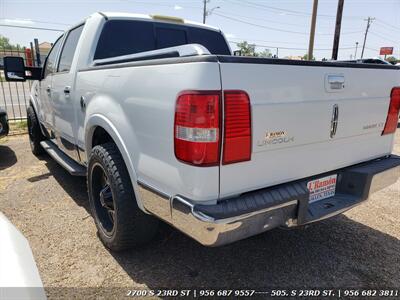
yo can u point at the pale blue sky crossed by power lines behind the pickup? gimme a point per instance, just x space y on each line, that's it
270 24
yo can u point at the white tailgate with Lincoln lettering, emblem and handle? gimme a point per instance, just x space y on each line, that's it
307 120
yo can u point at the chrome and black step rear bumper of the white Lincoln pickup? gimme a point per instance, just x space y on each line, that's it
284 205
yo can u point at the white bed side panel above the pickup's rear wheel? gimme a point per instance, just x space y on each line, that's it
140 103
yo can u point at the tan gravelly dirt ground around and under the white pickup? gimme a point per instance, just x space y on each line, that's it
360 248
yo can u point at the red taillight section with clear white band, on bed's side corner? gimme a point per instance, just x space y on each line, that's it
197 128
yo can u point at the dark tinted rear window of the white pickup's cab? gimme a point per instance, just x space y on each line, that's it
122 37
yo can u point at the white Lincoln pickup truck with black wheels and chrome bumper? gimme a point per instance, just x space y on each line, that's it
167 125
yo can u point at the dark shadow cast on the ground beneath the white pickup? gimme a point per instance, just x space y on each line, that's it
338 252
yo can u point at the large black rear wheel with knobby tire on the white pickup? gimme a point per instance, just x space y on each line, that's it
120 223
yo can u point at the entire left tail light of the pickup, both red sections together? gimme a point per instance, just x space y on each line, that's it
197 129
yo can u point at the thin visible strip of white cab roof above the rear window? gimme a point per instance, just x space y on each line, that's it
159 18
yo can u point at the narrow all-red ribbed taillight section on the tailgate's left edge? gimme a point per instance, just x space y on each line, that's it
237 127
